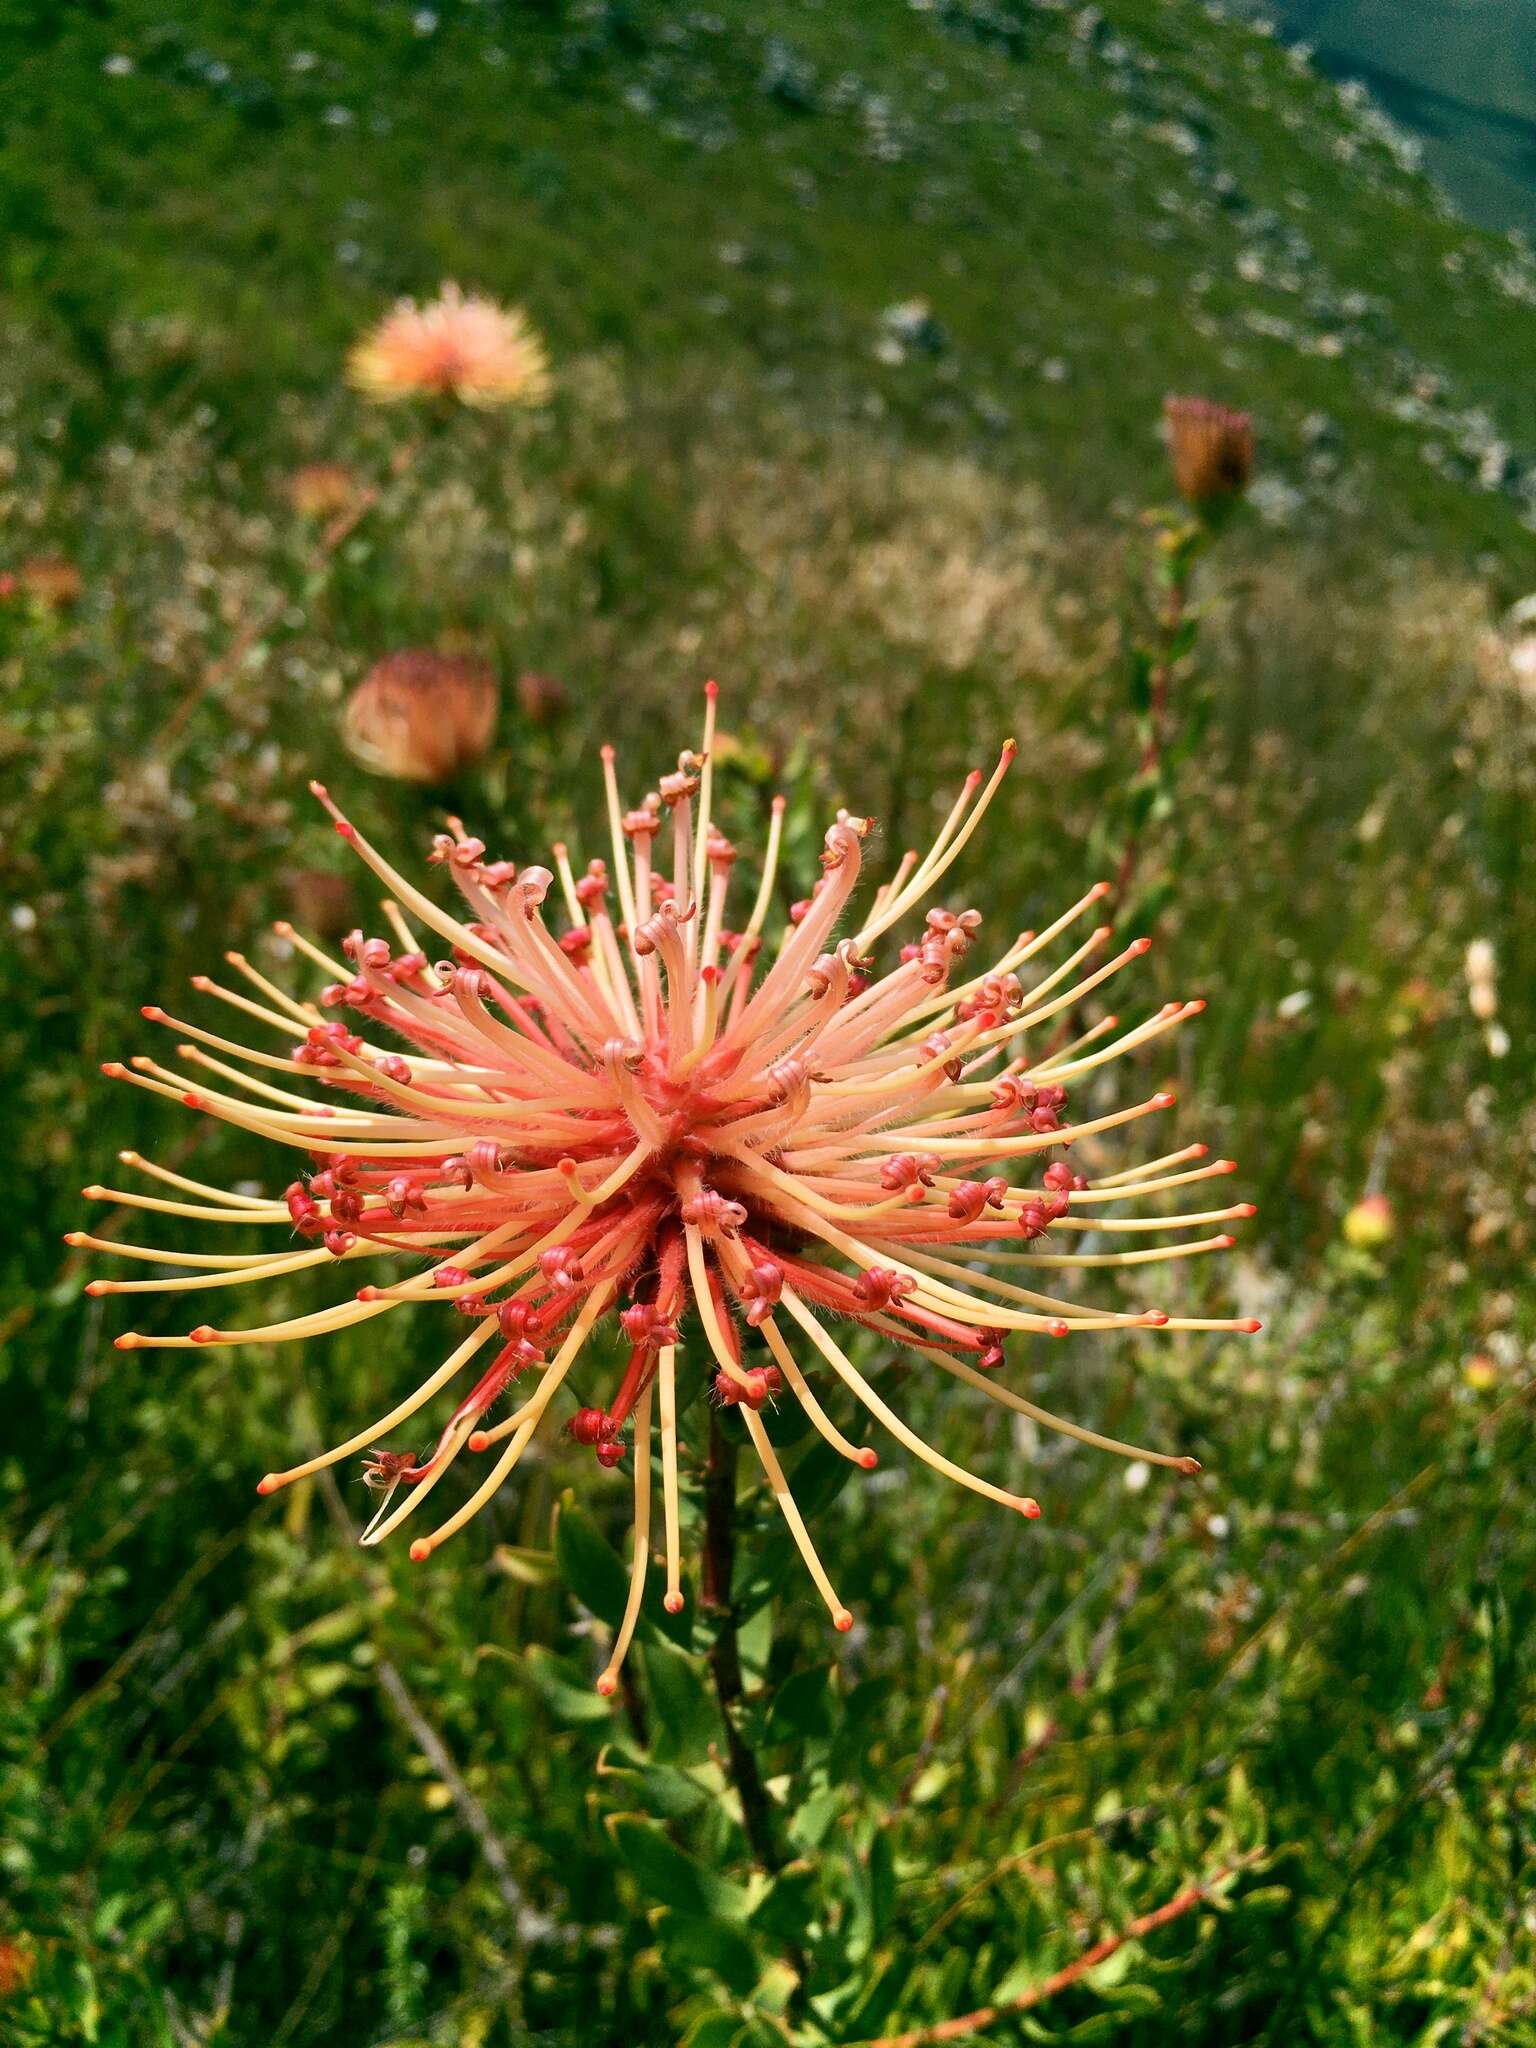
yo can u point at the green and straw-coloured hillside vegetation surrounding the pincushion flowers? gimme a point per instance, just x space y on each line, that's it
265 1791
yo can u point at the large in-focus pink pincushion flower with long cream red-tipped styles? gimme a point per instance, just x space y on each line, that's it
630 1119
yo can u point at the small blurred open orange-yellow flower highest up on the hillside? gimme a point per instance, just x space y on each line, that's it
458 347
